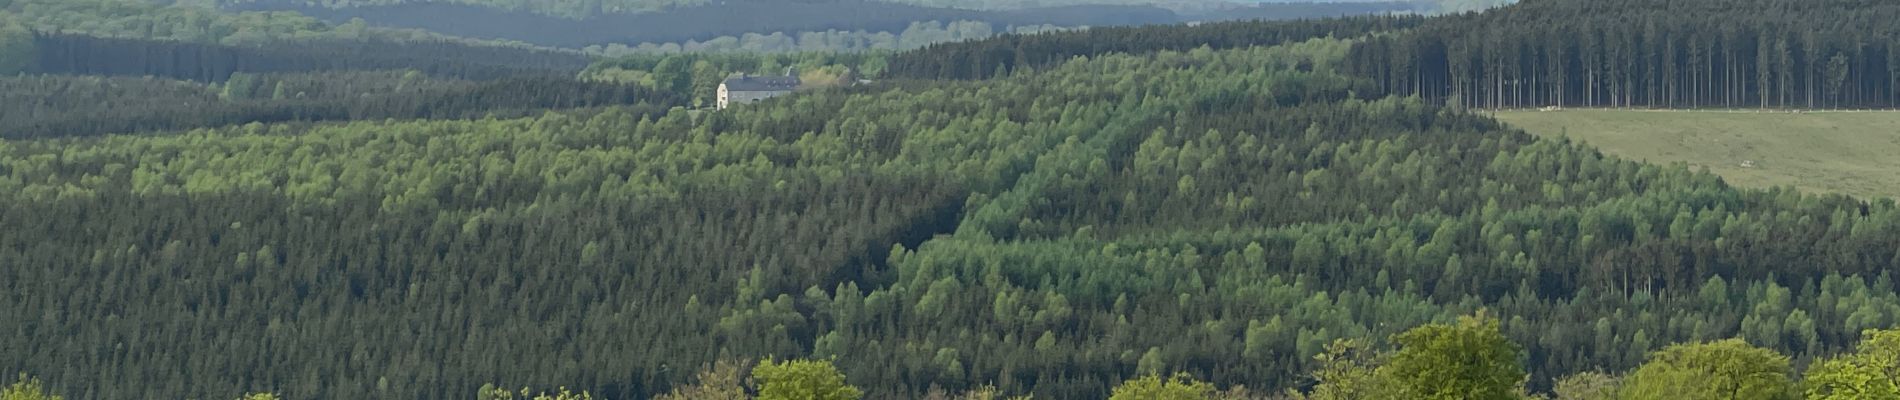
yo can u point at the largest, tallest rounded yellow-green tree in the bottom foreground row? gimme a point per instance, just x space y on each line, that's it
1464 361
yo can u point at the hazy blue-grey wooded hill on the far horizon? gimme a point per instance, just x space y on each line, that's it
704 22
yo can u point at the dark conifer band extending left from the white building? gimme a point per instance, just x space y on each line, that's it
81 107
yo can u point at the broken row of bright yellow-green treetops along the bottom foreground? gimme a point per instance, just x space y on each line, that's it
1468 359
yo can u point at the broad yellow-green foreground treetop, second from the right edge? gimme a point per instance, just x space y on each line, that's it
1720 371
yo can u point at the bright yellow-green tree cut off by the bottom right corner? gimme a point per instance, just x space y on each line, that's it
1872 373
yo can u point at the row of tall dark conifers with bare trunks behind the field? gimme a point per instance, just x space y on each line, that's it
1641 54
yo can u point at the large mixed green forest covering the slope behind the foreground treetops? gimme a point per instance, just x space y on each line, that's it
951 217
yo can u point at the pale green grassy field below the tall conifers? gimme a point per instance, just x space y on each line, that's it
1833 153
